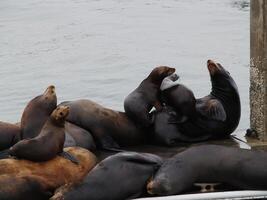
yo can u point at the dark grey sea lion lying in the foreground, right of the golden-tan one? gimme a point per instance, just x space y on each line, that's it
118 177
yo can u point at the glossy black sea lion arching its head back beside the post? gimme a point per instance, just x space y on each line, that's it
217 114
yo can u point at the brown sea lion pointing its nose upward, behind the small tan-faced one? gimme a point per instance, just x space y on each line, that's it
37 112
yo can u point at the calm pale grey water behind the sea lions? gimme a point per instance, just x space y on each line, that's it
101 50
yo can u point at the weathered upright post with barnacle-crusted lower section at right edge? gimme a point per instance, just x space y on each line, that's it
258 67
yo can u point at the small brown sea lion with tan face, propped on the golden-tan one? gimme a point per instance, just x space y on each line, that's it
48 143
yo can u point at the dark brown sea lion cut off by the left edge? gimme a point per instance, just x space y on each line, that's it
9 135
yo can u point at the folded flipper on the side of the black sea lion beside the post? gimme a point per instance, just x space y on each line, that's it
213 109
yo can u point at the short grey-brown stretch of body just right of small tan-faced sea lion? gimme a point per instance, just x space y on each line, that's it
77 136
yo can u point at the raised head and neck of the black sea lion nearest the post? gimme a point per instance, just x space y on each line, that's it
220 78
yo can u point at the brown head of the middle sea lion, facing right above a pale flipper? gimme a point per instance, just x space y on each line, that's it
159 73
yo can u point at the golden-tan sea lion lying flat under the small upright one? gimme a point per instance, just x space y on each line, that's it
49 175
